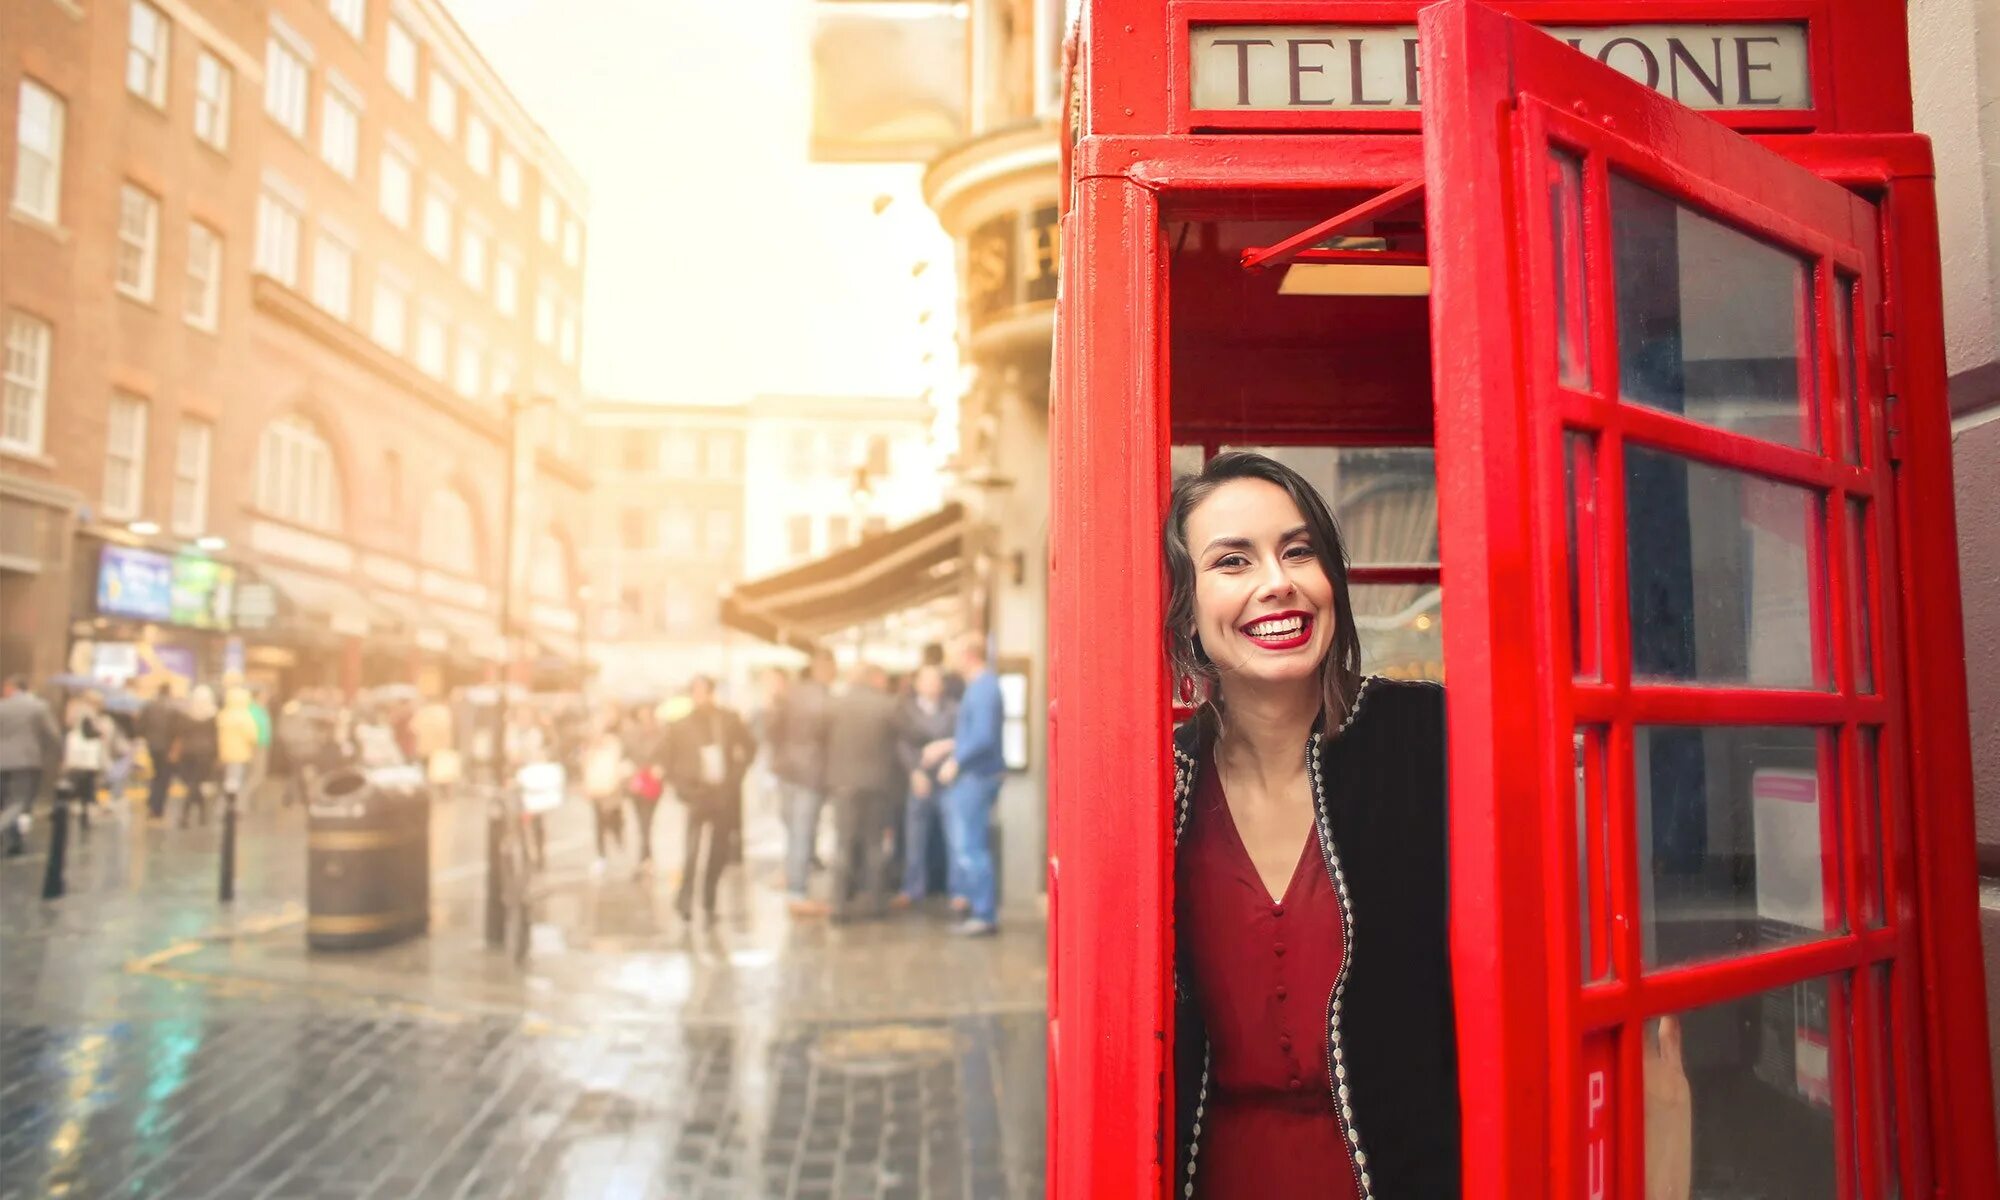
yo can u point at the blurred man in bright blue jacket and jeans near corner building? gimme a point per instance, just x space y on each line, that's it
971 781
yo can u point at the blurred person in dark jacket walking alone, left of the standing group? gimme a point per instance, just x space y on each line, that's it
709 753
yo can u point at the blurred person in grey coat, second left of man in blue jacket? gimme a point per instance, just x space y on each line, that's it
861 787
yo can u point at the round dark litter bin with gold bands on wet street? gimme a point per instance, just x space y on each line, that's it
367 859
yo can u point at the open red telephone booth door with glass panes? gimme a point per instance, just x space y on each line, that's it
1683 891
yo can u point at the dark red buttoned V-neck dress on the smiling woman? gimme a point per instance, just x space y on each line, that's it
1263 975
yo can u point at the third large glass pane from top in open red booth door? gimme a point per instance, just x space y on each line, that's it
1737 841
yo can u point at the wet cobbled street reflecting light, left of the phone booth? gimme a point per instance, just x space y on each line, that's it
155 1043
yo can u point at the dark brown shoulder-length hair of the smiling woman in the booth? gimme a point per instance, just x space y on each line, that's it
1341 673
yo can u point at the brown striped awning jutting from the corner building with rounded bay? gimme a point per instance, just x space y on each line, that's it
889 573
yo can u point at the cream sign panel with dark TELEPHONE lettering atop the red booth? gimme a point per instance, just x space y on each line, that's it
1375 69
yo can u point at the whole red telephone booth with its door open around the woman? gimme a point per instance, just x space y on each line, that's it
1643 301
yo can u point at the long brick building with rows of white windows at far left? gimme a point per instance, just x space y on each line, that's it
273 273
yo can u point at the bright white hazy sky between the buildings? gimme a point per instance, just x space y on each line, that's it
723 263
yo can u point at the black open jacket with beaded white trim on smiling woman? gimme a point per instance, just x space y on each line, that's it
1379 799
